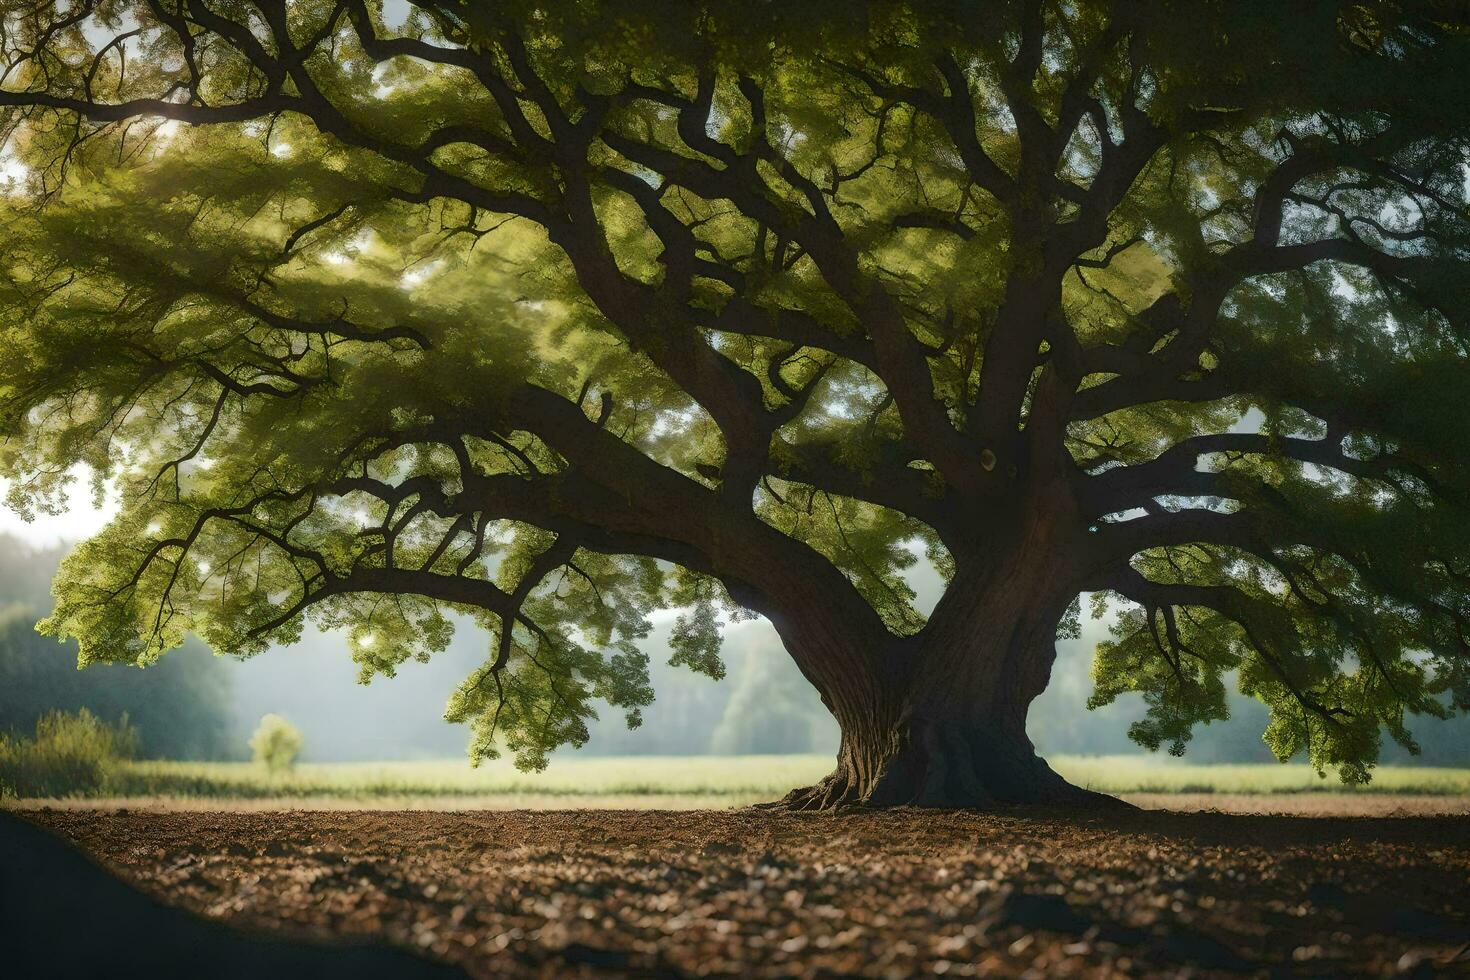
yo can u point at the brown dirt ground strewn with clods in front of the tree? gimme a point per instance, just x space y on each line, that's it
559 894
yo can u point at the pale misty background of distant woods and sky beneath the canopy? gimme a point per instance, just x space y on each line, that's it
198 706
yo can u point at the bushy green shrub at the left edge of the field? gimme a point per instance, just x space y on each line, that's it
70 756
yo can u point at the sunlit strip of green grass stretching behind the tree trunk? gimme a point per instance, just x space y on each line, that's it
737 779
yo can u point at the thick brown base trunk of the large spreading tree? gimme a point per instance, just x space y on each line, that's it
943 722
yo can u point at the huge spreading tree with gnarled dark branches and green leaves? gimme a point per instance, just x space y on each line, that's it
555 314
